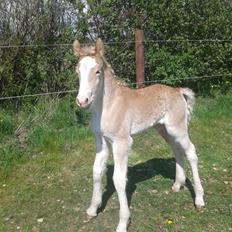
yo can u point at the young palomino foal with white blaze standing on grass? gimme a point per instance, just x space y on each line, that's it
119 112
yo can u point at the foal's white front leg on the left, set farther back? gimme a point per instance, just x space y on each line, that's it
98 171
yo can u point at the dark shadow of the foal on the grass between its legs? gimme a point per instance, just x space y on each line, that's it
142 172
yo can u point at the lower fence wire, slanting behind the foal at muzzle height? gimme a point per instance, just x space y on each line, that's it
194 78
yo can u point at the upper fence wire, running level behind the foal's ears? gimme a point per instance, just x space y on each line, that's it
122 42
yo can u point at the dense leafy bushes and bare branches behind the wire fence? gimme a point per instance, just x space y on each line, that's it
178 54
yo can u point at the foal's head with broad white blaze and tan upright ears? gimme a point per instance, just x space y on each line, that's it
90 71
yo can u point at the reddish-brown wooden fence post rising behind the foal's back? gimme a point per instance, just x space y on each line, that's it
139 57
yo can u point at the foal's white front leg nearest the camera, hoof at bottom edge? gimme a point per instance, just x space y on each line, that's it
120 153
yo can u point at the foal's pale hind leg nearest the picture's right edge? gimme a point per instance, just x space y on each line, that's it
179 139
